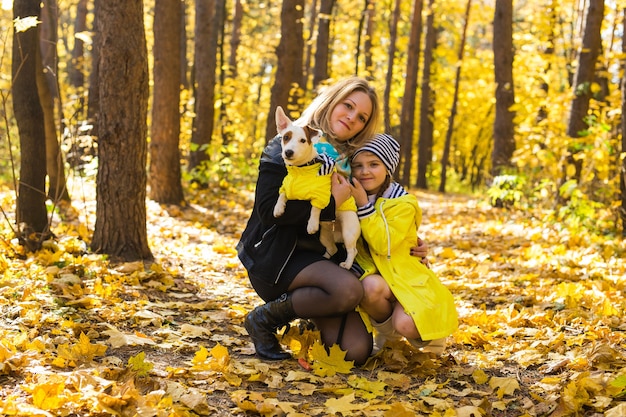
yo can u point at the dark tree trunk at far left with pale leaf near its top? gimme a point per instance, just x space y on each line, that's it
32 219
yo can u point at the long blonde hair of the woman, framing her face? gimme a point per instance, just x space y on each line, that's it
317 114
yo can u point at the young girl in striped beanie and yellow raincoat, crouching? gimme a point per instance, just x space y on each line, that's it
406 299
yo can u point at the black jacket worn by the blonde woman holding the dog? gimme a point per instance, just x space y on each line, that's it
268 242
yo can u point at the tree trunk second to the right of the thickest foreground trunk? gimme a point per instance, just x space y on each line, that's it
205 65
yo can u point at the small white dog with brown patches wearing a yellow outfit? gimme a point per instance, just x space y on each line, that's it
309 177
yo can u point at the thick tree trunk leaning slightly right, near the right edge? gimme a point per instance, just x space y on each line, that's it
584 78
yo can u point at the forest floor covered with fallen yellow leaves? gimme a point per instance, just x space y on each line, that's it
541 324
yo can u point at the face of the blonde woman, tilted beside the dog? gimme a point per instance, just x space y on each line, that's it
350 116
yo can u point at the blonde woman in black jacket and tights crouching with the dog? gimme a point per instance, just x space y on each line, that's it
285 264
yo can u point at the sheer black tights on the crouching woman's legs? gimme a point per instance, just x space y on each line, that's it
329 294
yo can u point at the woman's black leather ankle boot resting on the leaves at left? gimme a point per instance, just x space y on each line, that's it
262 323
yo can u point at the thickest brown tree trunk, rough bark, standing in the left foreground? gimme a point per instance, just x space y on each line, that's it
120 229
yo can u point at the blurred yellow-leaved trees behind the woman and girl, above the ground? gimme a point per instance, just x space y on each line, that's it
520 101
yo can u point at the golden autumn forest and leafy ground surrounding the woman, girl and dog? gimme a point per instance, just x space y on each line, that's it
517 104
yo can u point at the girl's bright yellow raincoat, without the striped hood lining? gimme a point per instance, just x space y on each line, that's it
390 233
